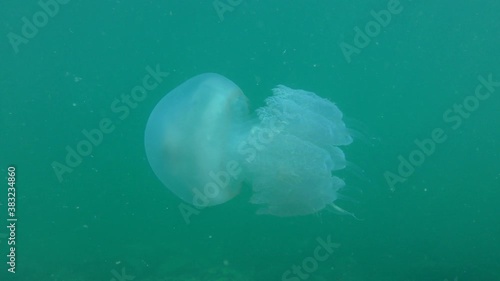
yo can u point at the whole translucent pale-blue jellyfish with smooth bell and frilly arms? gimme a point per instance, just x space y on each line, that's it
204 145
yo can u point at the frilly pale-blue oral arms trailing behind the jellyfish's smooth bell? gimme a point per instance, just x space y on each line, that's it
292 174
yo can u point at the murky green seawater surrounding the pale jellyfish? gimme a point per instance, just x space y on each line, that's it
109 218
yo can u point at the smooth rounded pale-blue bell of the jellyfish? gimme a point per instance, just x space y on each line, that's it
190 134
